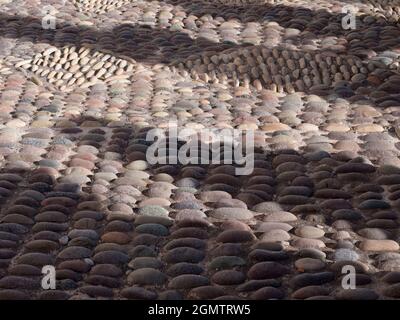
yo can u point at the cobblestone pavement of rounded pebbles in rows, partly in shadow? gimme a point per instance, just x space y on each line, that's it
77 191
